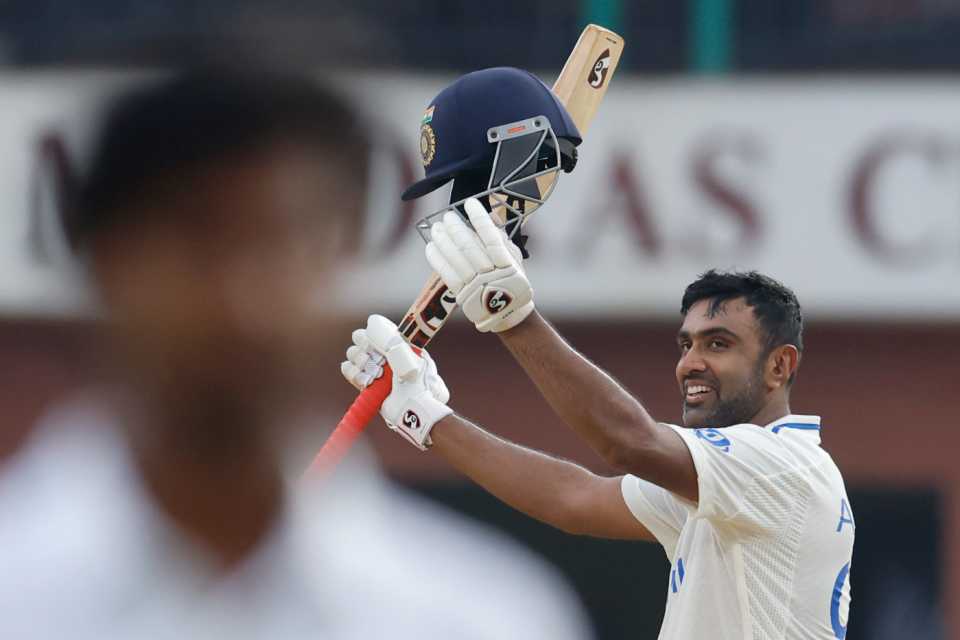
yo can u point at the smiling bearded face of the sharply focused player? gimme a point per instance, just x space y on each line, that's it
720 371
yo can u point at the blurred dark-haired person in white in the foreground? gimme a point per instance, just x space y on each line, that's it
210 222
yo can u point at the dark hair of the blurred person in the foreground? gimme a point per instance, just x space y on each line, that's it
197 117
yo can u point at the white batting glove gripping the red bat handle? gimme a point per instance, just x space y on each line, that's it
418 399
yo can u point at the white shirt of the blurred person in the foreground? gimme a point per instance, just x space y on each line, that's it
85 555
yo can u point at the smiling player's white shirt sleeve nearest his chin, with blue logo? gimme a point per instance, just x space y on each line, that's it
747 480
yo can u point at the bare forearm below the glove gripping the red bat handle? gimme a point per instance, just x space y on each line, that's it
541 486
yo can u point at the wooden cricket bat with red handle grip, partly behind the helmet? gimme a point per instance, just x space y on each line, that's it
580 87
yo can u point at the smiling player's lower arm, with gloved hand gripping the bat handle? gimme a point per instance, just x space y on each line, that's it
554 491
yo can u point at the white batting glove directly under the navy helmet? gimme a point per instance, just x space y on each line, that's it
482 268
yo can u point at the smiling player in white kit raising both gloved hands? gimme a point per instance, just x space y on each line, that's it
750 510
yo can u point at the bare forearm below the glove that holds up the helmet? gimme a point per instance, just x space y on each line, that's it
589 400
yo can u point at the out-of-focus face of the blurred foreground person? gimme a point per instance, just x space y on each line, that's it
224 287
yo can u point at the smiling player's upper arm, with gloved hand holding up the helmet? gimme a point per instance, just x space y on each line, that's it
482 268
